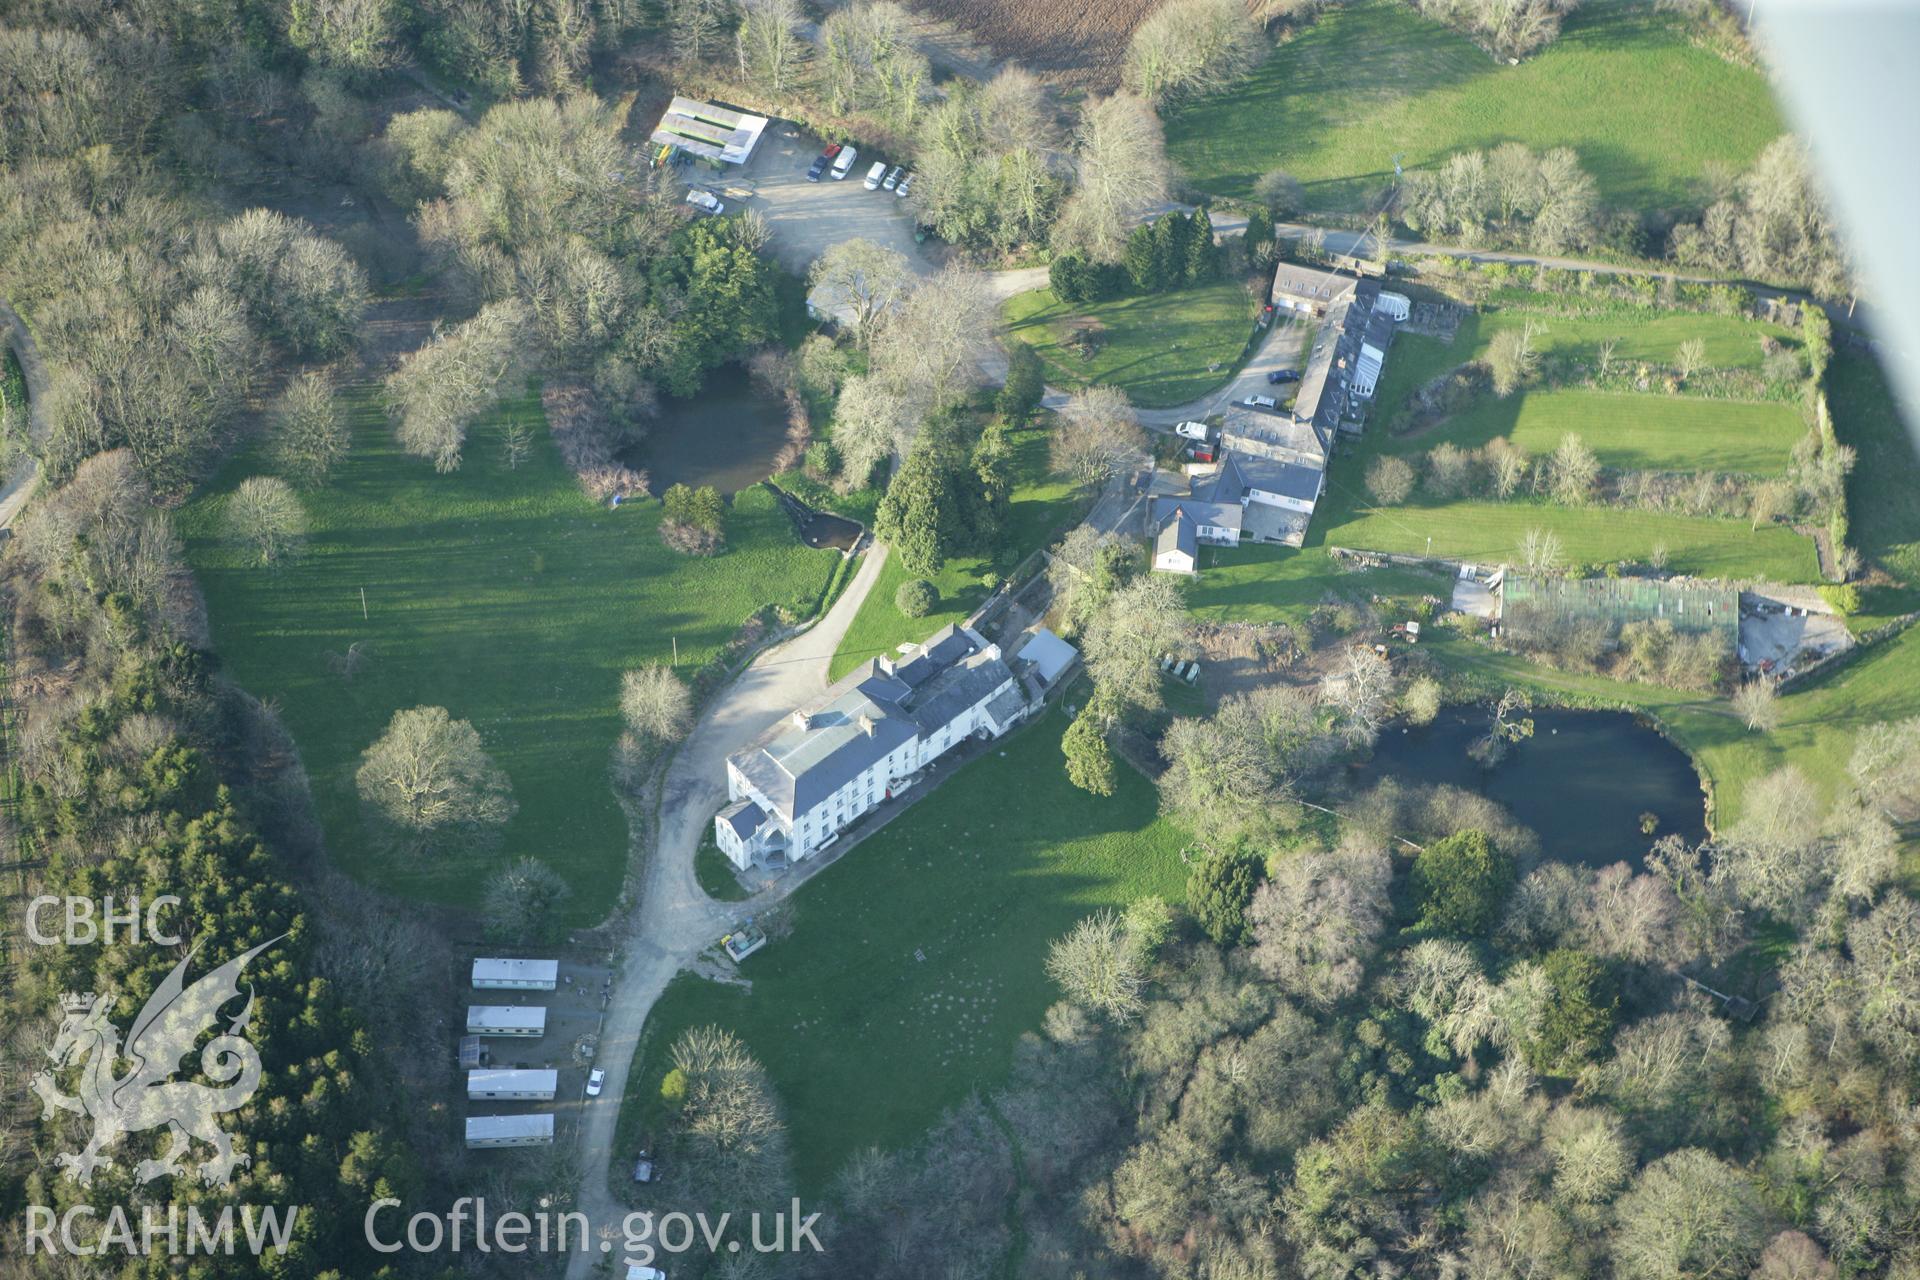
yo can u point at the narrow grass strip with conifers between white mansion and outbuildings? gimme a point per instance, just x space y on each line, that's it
1042 510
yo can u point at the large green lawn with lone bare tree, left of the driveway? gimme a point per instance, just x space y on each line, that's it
506 598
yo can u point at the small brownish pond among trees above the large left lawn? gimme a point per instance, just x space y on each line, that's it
725 437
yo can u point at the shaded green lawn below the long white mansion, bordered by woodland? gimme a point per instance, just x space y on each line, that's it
917 964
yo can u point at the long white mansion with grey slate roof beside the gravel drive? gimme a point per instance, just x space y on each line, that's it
867 738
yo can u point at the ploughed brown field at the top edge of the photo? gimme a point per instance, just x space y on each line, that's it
1078 39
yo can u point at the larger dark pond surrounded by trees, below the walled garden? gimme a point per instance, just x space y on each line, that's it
1581 782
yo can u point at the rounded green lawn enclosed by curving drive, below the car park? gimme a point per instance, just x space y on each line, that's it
1163 350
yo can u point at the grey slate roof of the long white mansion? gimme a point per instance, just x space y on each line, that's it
869 715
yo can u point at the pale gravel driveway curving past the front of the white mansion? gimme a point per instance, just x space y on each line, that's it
677 920
